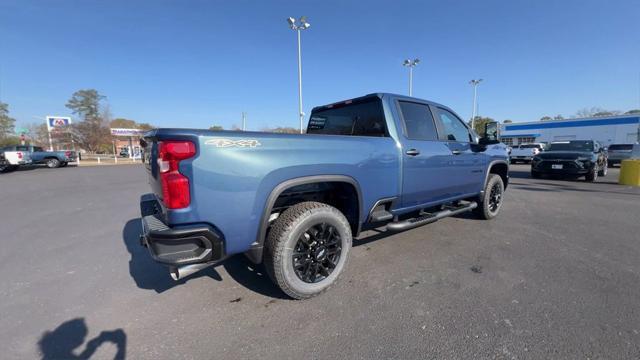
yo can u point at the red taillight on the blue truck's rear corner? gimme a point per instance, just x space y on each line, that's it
175 186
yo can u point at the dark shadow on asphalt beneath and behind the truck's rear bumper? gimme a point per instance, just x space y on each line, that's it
150 275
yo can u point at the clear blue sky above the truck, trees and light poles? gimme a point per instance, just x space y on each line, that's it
199 63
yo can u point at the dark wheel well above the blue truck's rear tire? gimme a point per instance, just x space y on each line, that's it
341 195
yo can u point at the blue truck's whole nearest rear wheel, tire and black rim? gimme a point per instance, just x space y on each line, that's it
307 249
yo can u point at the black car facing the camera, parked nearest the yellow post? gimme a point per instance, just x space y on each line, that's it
573 158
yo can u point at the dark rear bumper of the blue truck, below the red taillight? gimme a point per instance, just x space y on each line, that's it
180 245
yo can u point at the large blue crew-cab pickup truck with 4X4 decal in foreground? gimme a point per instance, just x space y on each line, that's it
295 201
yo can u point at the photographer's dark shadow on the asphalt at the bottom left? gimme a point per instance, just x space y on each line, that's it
62 342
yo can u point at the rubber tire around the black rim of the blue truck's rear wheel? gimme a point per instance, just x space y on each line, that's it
283 237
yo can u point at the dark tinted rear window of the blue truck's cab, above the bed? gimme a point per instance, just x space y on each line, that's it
357 118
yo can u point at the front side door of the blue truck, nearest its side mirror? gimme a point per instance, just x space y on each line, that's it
466 167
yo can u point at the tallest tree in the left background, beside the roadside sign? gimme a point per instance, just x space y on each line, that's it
91 132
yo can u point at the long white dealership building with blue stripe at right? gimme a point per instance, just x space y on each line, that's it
620 129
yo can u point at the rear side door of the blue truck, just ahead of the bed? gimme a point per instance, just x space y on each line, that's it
425 159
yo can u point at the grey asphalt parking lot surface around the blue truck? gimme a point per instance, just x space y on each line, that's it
557 275
